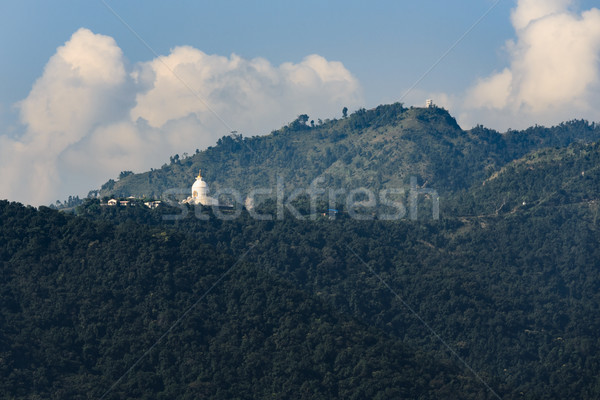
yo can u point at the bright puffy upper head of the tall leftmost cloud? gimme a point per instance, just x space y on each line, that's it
75 89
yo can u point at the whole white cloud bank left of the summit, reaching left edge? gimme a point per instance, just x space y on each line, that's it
90 116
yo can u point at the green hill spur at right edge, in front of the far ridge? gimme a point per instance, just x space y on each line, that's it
551 178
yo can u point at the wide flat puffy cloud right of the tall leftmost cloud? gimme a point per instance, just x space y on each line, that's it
250 95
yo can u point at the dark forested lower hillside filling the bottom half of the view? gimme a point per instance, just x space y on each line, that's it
515 294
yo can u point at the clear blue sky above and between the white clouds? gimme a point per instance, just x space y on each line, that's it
387 45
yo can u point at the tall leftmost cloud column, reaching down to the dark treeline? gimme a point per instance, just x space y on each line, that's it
75 92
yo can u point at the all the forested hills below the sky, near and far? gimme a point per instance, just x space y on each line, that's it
499 297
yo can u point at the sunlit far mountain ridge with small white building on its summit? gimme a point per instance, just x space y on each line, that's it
376 149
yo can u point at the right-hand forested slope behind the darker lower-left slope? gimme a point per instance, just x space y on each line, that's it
515 292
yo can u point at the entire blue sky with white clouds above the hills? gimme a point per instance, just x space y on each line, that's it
89 89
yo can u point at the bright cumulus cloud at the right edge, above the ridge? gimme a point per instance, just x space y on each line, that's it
554 71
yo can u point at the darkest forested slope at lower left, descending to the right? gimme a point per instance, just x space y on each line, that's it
82 300
